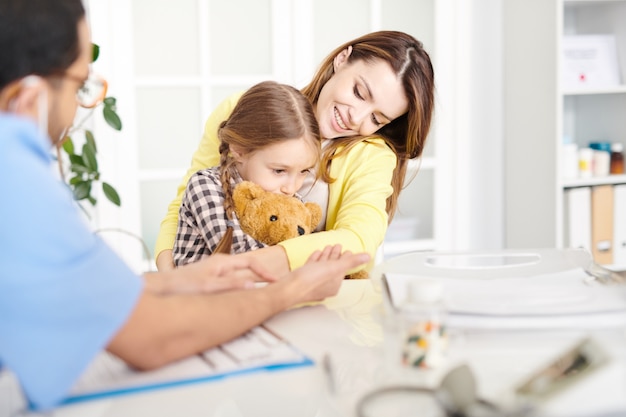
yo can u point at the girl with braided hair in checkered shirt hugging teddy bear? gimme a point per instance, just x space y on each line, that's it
272 139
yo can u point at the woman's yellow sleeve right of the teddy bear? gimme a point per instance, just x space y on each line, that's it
357 218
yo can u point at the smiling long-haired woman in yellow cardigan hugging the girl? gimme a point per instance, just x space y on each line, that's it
373 99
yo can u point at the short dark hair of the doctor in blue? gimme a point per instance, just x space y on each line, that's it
38 37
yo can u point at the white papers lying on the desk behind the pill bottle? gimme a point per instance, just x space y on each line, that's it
566 298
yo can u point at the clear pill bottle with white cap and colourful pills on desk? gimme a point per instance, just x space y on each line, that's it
424 338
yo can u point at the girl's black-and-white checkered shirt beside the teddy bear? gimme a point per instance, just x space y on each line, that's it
202 220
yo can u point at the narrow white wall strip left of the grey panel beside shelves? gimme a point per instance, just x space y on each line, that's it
479 155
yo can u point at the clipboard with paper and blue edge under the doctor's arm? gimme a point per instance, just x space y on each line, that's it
259 349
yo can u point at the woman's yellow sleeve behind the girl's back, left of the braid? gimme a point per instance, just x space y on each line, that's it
207 155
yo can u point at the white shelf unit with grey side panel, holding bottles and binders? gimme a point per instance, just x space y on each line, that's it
539 112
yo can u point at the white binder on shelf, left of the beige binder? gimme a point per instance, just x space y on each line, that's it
578 218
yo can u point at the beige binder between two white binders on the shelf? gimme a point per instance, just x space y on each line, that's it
602 223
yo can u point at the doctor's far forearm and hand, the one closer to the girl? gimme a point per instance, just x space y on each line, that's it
216 273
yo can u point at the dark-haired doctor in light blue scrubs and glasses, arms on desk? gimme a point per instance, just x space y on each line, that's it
64 295
